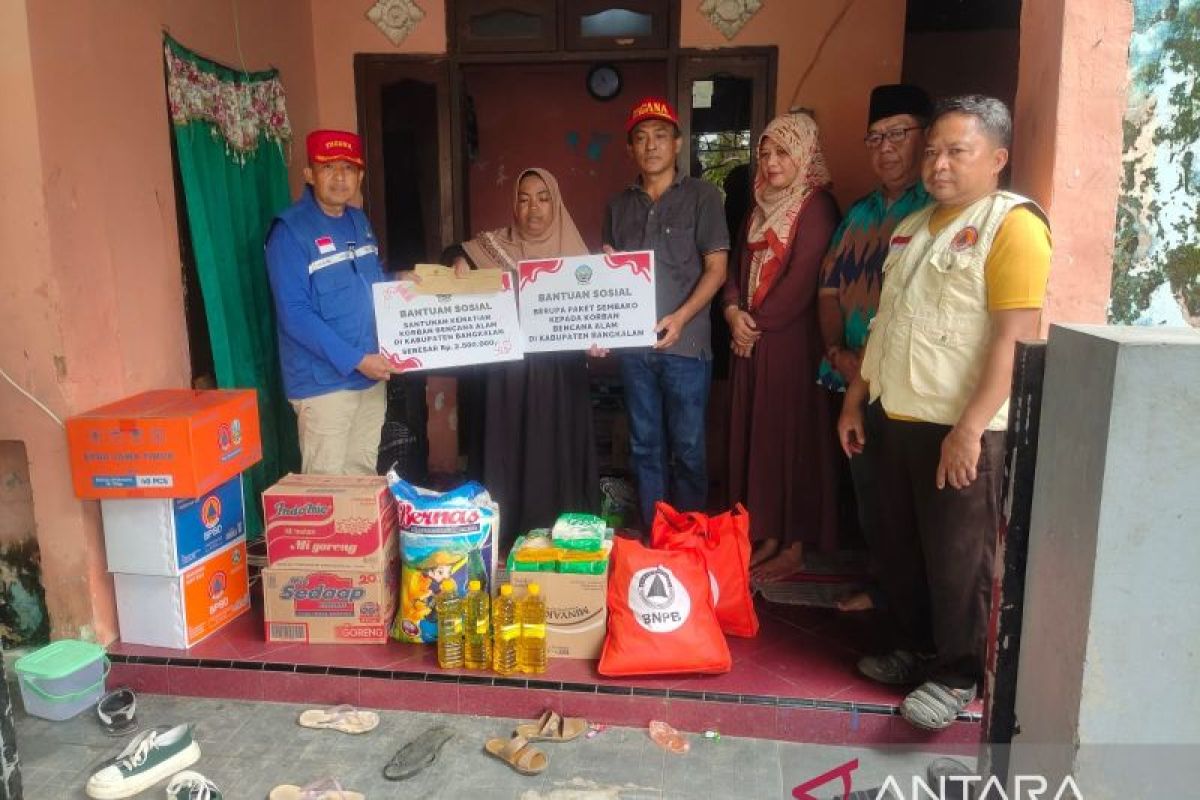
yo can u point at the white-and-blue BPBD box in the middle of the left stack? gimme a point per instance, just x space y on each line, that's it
167 537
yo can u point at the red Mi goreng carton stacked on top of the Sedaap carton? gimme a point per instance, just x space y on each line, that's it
331 521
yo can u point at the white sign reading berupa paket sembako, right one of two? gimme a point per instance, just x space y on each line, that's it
571 304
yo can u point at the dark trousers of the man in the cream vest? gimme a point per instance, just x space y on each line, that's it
938 546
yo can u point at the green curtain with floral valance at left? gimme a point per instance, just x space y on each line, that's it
230 130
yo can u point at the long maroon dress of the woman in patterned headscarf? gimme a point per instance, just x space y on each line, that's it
783 441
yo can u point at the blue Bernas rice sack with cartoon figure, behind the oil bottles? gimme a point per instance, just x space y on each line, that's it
443 537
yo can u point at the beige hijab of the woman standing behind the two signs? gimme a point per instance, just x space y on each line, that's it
503 248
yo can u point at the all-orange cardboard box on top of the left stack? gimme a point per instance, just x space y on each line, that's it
170 443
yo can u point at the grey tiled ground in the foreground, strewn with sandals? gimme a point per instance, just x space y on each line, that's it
250 748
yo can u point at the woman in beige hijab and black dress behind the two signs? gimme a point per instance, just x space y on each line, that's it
539 448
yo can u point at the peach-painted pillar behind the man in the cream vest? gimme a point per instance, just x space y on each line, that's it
1069 140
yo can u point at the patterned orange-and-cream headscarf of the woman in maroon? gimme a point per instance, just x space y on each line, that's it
773 224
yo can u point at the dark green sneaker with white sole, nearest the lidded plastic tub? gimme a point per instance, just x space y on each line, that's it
146 761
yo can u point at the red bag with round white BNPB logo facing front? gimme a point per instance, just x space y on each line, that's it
661 615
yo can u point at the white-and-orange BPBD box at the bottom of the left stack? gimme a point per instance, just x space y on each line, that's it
178 612
